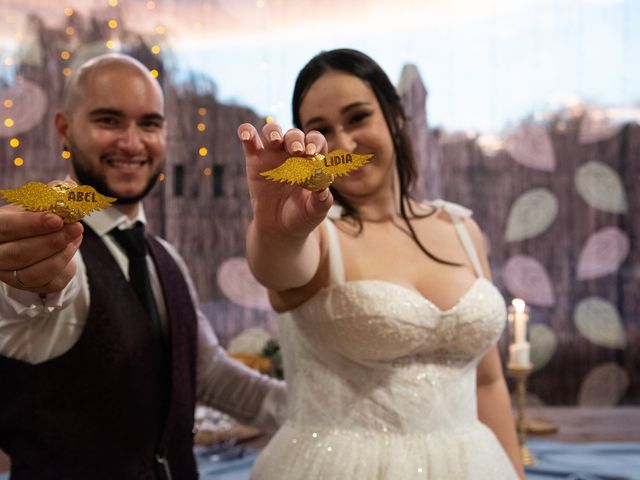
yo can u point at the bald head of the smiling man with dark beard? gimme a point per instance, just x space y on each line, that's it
113 123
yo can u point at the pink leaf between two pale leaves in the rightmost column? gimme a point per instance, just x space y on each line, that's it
603 253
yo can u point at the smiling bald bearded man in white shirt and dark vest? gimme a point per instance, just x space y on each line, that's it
97 380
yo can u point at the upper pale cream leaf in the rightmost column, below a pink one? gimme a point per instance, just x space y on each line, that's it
601 187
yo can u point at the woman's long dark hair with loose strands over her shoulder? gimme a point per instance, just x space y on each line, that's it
366 69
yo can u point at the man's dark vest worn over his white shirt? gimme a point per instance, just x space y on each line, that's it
110 407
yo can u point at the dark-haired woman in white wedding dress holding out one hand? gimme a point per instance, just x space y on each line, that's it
389 320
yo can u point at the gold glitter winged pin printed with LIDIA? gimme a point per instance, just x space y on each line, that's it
318 171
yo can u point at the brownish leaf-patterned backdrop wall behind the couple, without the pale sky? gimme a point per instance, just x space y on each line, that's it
557 199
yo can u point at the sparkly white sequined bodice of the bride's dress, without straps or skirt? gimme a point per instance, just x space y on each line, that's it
372 355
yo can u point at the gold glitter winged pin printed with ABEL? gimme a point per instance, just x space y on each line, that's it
68 201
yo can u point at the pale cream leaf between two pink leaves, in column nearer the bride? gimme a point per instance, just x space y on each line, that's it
531 214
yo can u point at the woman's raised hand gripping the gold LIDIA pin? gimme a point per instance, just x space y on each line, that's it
280 209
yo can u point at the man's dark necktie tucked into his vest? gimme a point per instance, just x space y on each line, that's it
135 246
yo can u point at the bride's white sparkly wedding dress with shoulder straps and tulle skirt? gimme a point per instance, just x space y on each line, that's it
382 383
